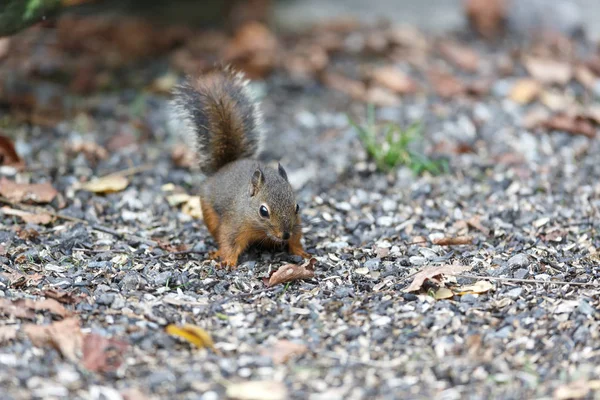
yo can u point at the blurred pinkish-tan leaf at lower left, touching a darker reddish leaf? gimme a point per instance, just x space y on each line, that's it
65 336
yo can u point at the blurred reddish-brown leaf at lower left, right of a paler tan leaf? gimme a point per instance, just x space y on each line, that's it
101 354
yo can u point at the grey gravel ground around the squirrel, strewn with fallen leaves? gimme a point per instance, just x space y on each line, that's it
529 198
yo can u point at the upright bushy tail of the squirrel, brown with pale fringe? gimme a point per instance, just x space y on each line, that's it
220 116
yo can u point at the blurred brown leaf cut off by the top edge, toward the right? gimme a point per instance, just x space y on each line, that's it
487 17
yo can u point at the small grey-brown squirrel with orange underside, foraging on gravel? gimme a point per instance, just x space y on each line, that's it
243 201
